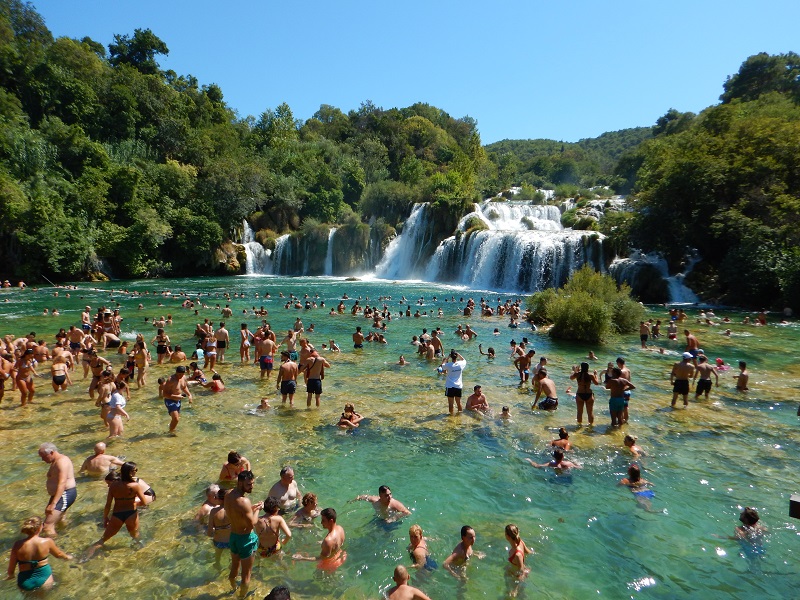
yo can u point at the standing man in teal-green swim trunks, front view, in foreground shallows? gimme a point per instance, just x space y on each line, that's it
244 541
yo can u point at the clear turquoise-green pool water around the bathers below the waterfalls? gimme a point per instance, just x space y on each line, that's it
589 536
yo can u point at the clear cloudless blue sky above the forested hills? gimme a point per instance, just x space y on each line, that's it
521 68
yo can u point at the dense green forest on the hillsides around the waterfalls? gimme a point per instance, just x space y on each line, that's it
110 164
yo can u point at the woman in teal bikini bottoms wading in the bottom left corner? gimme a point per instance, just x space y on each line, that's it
31 555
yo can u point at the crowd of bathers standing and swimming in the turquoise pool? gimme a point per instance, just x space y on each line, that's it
231 520
